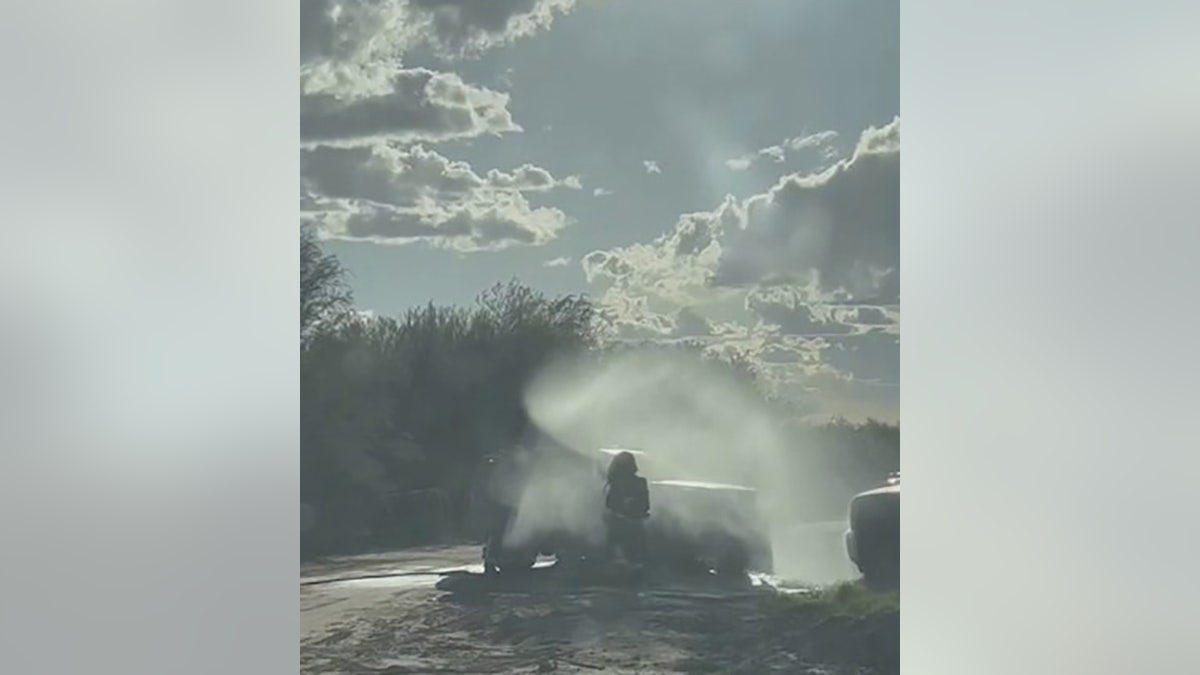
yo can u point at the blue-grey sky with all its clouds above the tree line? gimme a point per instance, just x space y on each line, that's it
705 170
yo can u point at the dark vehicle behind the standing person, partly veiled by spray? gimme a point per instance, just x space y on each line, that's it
694 525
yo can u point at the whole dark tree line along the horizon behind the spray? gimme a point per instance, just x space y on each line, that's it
397 413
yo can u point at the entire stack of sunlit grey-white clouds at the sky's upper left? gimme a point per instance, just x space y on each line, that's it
361 109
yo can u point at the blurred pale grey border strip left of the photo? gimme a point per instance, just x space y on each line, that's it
149 390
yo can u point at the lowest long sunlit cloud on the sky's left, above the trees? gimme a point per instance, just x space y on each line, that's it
393 195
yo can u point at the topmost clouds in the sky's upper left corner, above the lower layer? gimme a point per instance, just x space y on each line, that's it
355 91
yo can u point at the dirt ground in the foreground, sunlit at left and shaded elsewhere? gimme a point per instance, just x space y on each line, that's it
430 612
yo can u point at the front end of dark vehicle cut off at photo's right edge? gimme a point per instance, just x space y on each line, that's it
873 540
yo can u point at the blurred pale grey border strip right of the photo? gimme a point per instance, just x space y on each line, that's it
1049 237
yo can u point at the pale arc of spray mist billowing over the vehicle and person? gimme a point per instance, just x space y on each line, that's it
695 421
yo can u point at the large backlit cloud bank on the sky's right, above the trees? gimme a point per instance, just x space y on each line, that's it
775 277
